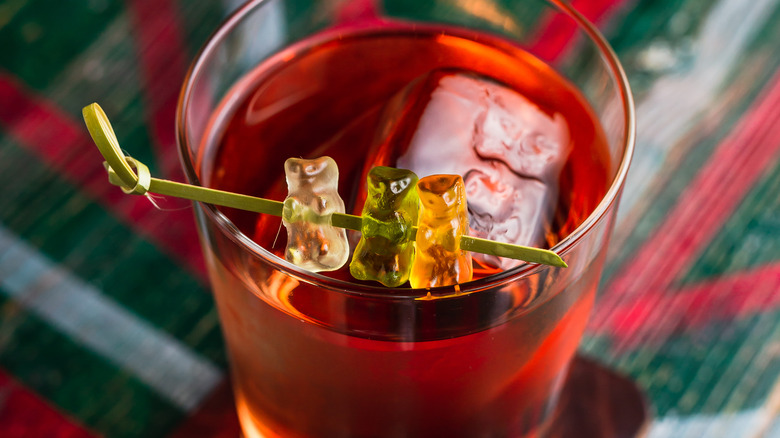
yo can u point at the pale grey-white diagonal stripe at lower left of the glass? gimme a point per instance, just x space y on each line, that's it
84 313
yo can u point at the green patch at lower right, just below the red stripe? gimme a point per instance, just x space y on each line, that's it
711 371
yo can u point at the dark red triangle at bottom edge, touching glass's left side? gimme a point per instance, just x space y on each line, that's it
216 418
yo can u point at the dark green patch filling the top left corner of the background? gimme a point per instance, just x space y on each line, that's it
36 44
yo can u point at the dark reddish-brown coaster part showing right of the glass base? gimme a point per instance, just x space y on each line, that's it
600 403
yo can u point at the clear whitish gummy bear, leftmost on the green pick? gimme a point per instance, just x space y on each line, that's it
312 242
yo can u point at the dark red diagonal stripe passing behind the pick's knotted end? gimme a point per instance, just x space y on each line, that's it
65 145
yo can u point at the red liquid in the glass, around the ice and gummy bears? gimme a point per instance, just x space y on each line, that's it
309 362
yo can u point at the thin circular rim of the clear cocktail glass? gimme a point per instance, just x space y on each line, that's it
564 246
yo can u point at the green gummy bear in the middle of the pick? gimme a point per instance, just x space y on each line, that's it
386 248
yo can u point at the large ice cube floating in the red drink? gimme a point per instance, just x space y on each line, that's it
508 150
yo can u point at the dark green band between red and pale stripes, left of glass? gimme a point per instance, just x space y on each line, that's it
82 237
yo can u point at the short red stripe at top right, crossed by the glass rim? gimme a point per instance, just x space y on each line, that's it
557 31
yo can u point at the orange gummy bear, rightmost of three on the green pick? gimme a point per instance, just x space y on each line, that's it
443 220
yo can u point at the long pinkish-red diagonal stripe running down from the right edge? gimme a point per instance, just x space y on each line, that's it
701 210
